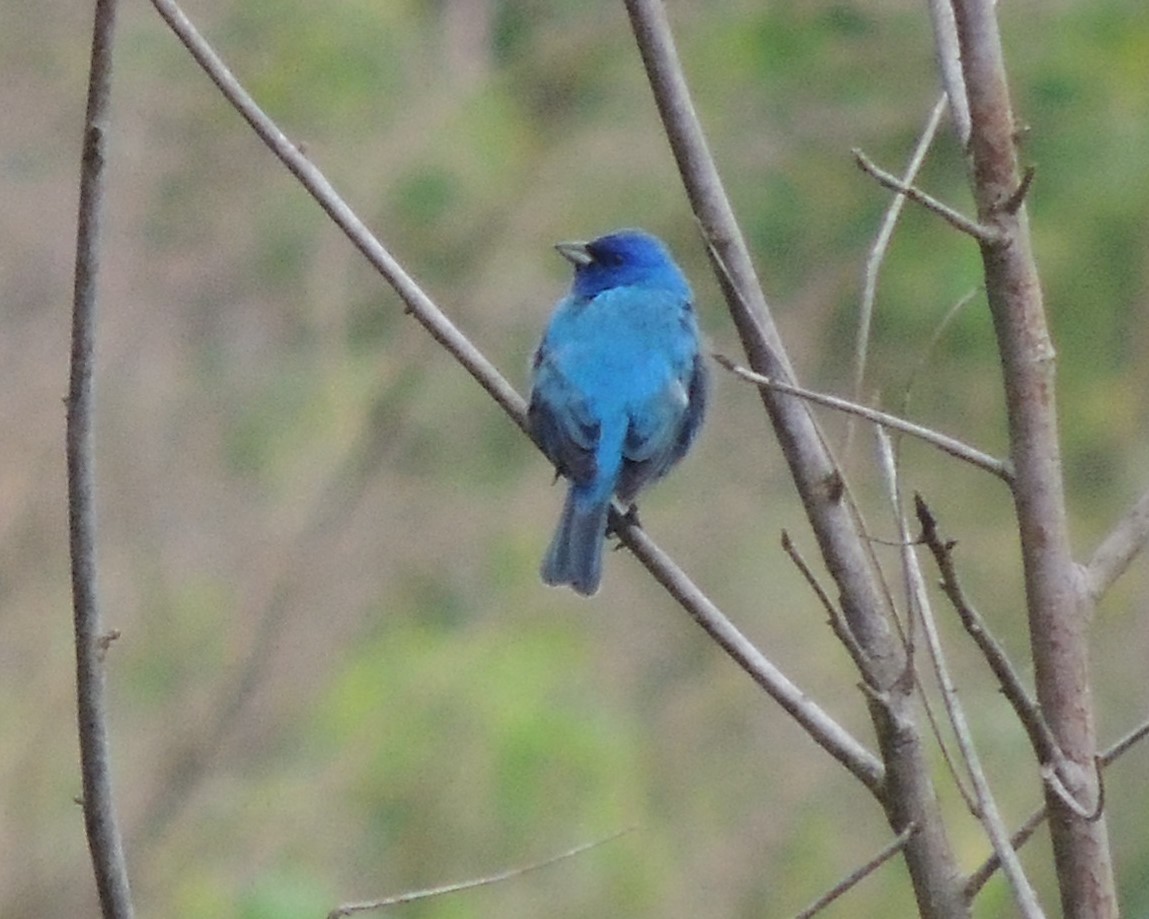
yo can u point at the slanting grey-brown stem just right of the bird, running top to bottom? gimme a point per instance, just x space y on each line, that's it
908 794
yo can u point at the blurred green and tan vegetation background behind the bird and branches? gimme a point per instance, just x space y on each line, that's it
338 675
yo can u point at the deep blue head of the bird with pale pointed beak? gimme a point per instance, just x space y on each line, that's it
626 258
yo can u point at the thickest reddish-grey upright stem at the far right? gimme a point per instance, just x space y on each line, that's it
1059 605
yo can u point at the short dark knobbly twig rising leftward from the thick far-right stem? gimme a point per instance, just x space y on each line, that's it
1029 713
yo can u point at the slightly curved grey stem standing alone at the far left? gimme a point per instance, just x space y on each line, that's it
101 823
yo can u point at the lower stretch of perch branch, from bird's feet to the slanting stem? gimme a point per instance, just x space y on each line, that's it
822 729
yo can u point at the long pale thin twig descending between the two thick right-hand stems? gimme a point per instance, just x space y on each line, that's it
988 814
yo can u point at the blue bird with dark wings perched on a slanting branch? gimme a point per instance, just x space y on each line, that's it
619 390
